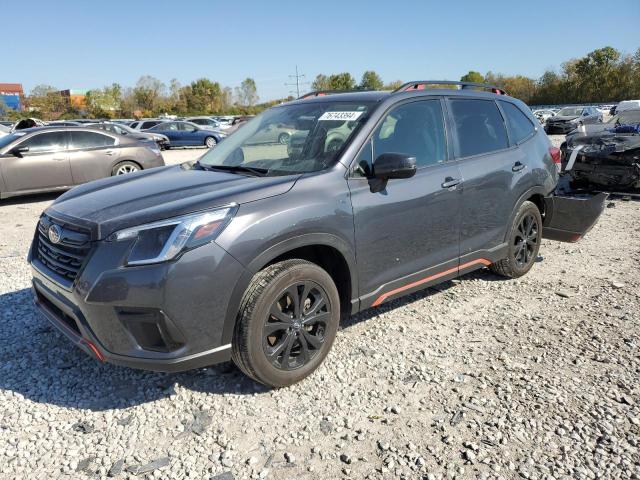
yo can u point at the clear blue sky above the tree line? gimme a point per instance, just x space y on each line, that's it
87 44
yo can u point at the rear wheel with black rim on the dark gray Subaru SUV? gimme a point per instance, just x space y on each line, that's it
522 251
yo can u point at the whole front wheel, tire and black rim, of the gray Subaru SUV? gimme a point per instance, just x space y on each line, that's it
297 343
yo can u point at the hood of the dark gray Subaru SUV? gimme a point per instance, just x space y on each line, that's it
114 203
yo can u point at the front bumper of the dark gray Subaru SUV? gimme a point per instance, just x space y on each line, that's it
166 317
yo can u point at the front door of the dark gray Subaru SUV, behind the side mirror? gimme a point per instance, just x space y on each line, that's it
407 234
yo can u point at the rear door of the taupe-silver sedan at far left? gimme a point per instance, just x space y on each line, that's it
92 155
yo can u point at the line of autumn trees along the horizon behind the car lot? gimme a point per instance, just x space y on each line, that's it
602 76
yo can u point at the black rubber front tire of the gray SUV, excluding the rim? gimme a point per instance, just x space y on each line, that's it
263 370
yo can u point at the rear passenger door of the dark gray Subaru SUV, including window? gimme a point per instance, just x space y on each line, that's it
493 175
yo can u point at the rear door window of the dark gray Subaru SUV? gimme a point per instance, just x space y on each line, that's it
479 126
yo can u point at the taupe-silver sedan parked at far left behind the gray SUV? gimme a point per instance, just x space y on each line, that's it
57 158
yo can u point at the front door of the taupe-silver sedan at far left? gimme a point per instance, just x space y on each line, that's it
45 165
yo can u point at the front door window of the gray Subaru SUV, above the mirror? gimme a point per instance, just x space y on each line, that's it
415 129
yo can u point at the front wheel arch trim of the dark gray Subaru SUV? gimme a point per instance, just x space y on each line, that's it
328 251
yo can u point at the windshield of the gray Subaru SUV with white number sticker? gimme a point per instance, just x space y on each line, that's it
291 139
